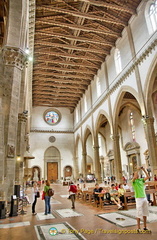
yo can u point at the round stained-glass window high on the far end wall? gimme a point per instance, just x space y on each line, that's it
52 117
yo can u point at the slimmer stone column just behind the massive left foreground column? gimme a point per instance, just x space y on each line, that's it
21 147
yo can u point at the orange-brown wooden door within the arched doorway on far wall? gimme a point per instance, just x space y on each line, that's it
52 171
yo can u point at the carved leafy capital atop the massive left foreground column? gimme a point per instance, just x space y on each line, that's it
14 57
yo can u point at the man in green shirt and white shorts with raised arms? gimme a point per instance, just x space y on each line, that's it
140 196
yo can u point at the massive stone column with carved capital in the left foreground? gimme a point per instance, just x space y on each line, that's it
14 62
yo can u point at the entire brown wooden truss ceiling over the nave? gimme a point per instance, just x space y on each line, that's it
72 39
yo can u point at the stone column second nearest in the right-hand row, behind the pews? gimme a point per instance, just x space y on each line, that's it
117 158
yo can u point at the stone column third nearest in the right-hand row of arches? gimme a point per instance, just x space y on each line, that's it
97 163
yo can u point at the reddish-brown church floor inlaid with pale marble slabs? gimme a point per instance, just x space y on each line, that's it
81 223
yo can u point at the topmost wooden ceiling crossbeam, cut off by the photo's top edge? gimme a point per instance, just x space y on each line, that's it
110 6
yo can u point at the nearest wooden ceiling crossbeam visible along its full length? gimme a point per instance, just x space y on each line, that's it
78 14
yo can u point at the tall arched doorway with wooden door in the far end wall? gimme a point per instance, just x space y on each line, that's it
52 164
